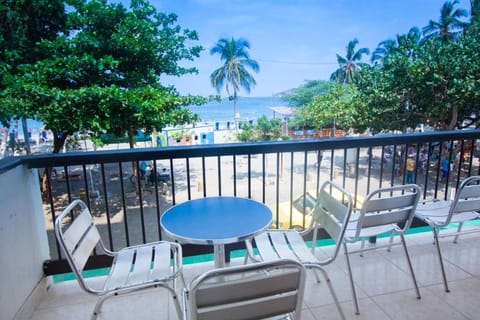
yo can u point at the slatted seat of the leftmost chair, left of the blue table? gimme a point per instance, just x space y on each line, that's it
140 265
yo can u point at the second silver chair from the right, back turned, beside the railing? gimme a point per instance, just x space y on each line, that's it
385 211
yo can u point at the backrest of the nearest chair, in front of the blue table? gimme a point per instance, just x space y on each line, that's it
253 291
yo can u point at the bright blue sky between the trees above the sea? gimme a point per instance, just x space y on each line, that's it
292 40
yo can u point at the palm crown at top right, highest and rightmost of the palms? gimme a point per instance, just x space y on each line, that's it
450 26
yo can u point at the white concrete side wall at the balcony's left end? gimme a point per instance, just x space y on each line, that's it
23 240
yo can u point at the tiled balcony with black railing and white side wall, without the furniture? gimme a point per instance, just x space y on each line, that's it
277 174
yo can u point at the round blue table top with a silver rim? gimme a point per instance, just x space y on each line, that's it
216 220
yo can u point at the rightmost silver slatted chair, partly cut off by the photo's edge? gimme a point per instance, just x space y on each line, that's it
440 213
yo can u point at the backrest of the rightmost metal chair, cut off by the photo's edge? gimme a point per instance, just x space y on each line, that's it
467 197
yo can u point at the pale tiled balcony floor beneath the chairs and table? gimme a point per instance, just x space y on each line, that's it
384 288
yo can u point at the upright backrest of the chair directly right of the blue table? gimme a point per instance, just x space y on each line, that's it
332 213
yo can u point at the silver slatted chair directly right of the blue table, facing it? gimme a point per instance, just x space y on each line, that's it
331 213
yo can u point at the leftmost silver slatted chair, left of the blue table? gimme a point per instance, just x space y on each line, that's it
133 268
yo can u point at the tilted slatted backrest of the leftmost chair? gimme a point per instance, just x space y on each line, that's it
77 238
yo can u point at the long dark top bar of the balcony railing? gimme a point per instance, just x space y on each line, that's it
111 156
